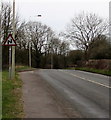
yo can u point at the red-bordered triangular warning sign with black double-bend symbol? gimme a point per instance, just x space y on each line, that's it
9 41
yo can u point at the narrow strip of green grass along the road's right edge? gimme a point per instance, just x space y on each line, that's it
104 72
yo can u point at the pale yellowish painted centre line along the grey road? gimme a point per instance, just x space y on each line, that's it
86 79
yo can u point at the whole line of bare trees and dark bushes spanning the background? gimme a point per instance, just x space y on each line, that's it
86 32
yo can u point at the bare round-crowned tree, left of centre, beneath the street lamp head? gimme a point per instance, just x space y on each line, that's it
39 36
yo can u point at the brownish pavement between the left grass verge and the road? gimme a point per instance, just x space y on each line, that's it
40 100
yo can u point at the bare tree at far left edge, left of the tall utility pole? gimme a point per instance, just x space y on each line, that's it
6 28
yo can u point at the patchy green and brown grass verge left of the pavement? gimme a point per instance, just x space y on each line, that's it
11 97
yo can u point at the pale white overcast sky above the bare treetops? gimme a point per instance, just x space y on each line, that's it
58 13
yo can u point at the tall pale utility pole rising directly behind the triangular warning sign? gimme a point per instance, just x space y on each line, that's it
13 47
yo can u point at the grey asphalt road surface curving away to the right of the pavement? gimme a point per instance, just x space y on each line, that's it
87 92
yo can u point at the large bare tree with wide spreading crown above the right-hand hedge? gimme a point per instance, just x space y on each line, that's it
84 29
